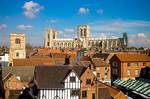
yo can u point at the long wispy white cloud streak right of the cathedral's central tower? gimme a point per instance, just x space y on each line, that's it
113 26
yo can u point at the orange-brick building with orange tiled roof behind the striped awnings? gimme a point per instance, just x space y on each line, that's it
128 66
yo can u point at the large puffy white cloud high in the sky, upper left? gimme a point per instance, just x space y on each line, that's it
31 9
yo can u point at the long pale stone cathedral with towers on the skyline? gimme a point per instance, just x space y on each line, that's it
83 40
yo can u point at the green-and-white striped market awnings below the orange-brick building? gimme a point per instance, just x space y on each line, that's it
140 87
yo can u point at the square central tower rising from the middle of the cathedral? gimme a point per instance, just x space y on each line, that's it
84 34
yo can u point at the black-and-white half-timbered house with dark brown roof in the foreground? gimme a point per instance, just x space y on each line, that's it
58 82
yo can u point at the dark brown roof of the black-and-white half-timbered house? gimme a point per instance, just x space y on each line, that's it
48 77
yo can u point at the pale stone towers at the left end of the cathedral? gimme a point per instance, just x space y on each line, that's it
50 35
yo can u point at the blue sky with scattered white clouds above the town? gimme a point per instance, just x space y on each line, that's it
107 19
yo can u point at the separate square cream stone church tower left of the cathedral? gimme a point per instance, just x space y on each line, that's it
17 46
